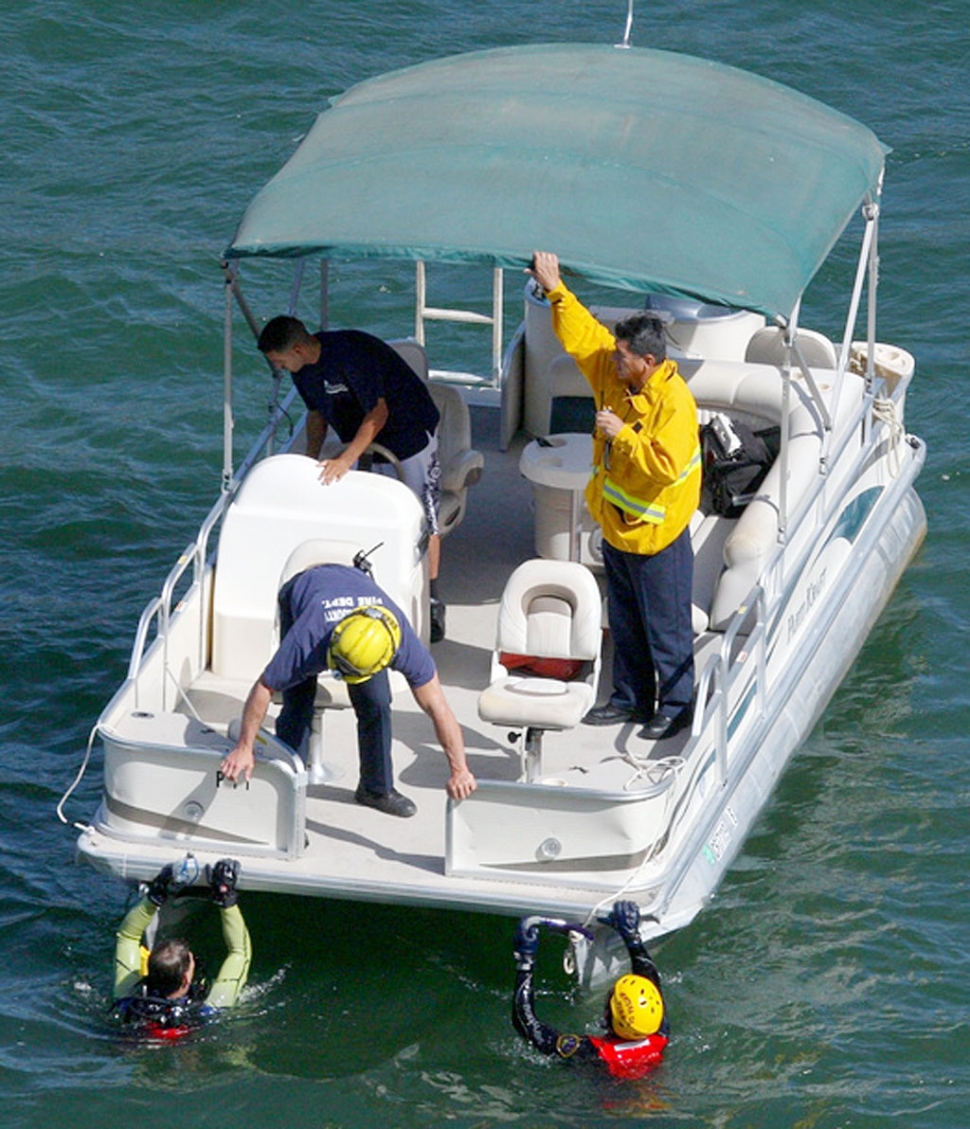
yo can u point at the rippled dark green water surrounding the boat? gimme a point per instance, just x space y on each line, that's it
828 985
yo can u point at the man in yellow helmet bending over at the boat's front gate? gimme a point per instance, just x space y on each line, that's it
336 618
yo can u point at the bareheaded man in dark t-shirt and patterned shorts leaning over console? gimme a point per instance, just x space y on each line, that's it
359 386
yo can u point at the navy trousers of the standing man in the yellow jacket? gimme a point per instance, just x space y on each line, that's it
650 609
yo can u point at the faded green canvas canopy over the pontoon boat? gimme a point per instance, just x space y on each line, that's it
643 170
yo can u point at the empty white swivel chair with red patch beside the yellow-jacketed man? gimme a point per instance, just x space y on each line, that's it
546 664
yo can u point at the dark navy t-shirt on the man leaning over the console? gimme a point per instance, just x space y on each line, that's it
355 371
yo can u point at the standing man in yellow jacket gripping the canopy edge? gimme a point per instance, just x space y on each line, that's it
644 487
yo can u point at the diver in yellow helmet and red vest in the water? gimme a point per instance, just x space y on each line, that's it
636 1018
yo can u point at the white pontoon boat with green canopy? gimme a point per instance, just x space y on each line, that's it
711 195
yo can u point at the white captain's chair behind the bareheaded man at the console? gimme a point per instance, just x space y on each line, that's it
461 463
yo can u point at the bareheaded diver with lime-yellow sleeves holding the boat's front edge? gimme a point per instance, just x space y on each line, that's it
169 1000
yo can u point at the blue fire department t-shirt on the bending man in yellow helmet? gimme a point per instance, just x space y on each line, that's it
319 599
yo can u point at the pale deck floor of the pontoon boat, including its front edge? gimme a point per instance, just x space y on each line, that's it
357 853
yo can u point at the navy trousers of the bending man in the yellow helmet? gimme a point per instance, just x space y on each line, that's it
372 705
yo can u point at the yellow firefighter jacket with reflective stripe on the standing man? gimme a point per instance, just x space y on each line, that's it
646 482
